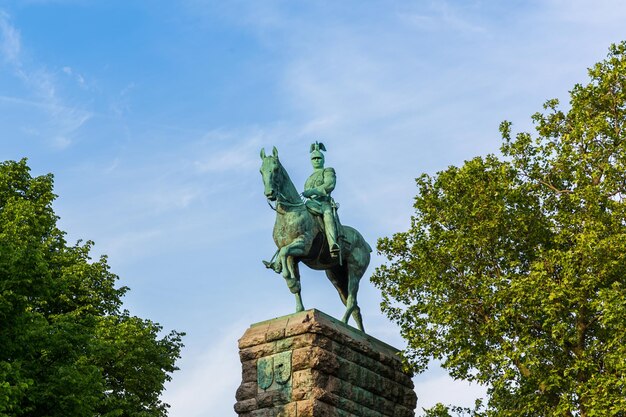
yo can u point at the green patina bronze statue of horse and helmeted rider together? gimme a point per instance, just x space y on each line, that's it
309 232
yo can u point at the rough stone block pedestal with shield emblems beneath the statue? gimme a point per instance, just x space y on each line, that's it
309 364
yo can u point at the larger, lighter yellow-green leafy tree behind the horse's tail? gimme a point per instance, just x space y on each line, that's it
513 272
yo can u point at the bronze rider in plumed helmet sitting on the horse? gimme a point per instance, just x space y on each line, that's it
317 189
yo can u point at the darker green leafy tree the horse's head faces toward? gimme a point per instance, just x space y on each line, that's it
66 346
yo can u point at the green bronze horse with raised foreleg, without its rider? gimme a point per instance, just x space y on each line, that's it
300 238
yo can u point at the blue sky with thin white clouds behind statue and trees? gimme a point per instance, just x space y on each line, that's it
151 115
